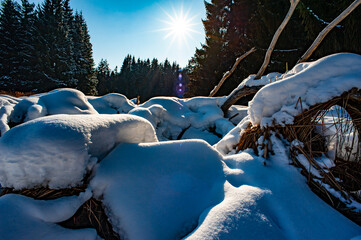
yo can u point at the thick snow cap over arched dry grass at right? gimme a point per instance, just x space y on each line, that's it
312 83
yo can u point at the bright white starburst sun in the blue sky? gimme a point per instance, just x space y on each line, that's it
179 26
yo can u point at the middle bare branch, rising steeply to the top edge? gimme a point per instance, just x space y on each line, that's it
293 6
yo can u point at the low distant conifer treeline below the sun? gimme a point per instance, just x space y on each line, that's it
143 78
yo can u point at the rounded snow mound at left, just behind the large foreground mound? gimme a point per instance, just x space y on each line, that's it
60 101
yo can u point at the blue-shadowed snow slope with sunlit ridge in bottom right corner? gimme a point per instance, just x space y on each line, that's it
272 201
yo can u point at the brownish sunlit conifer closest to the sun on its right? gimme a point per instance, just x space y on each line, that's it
213 59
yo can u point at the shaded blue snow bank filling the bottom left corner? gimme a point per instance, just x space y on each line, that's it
26 218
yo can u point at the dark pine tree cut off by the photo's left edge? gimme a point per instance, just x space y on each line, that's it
9 44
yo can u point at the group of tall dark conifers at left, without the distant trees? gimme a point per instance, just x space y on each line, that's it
44 48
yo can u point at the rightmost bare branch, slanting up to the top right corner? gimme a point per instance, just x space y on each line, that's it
327 29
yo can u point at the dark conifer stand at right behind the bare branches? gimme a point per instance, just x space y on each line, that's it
234 27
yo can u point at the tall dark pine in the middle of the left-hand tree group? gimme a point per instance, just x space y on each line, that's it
52 52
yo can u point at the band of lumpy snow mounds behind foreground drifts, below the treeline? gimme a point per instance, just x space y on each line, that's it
169 116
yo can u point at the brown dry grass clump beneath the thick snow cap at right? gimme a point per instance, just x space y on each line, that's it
345 176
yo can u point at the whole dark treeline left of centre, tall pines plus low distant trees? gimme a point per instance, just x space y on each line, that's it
48 47
